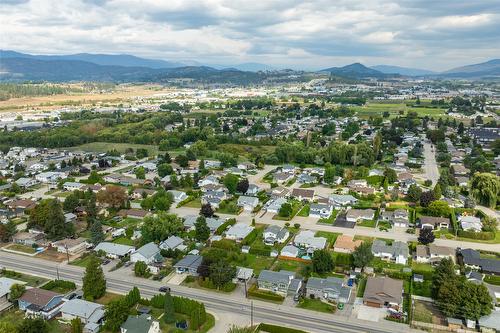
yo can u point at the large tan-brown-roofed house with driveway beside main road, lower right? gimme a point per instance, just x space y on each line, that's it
383 292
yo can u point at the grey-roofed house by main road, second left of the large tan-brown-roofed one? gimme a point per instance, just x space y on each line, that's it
282 282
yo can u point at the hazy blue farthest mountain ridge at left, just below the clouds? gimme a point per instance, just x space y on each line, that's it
98 59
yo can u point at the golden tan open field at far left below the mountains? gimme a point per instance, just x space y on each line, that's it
121 93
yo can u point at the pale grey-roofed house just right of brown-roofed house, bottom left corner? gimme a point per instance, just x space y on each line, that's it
90 314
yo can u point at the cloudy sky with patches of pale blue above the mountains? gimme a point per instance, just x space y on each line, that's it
315 34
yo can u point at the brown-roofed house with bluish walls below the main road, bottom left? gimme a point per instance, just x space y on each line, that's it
40 303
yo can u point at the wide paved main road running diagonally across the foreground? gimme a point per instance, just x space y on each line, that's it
215 302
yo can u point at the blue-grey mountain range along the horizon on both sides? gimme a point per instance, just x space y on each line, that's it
16 66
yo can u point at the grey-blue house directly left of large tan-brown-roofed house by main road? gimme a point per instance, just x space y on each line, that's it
331 289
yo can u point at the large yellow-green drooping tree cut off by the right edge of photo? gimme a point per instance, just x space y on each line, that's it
485 188
